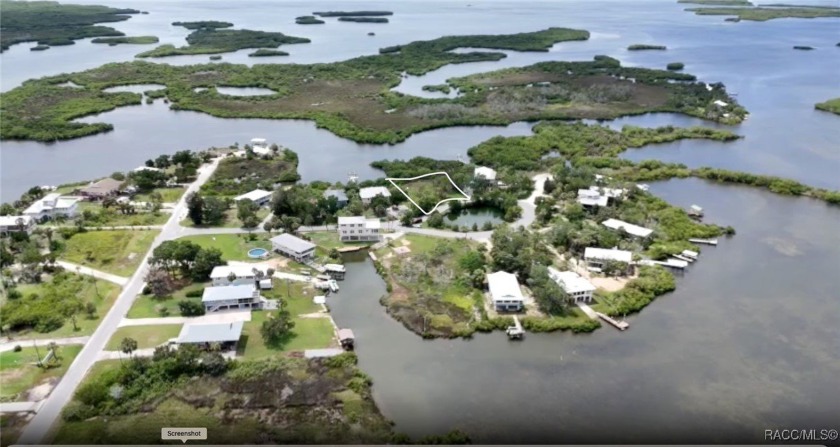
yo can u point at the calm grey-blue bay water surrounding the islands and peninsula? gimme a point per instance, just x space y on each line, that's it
749 341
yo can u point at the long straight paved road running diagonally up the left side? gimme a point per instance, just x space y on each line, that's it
50 411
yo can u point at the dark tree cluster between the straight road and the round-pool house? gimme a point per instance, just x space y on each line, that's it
185 258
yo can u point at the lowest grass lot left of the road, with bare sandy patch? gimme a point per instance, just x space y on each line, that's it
18 372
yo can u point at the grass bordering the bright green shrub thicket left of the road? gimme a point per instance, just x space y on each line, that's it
85 288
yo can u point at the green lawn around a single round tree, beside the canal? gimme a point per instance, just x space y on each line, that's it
308 333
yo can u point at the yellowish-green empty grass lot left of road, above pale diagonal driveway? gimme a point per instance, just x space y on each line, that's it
118 252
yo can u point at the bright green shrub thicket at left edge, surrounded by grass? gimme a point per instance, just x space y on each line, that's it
58 301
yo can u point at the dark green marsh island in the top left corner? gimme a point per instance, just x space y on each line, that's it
51 23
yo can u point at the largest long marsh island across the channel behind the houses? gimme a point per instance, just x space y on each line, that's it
354 95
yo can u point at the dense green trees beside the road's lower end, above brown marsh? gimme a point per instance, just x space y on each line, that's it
124 390
